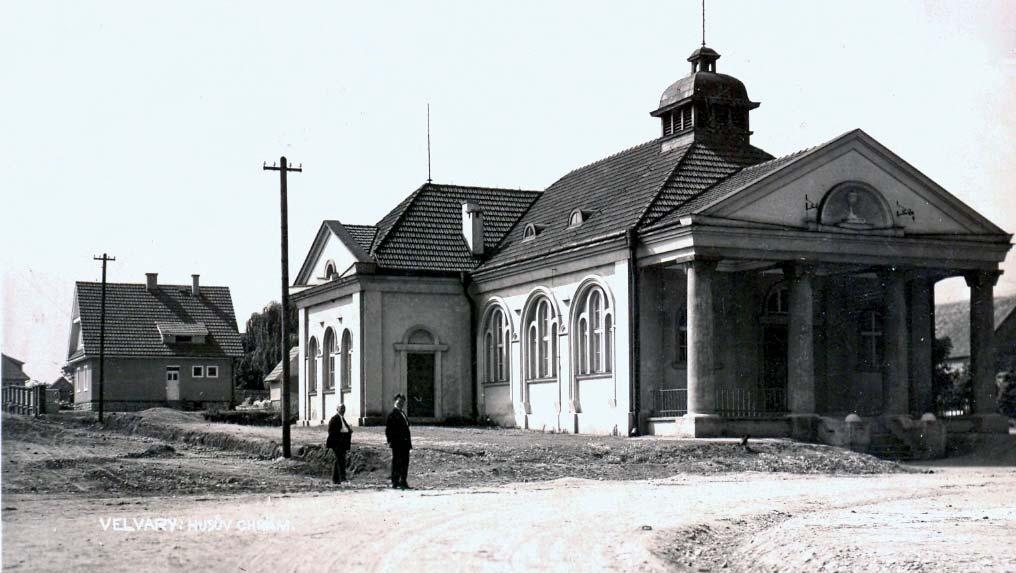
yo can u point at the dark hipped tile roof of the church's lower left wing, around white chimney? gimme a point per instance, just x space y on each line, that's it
425 232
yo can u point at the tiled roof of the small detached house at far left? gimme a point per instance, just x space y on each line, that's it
133 315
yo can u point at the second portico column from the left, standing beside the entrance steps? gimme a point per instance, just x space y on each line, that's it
801 342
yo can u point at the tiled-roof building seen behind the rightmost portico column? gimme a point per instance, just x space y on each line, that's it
952 321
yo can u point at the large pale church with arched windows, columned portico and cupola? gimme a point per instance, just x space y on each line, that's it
691 285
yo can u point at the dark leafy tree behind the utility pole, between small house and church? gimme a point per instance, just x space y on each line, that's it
262 345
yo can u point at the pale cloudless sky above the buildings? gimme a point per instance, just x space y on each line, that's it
140 130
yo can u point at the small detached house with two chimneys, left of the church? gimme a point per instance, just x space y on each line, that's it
166 346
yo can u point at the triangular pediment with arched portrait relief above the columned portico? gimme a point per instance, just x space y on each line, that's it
853 184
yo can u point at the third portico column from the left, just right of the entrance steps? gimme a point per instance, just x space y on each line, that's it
897 381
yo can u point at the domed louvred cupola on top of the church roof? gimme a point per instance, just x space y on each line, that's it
705 105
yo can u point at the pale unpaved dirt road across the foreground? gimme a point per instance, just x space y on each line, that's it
955 521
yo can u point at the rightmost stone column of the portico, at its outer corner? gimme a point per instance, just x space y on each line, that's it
982 286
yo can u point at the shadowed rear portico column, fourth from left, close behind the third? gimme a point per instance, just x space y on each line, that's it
922 295
